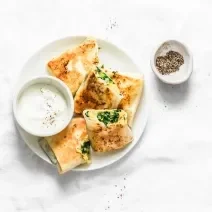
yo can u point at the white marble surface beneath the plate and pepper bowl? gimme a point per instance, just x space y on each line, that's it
170 169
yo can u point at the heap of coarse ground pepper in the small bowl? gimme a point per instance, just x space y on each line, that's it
169 63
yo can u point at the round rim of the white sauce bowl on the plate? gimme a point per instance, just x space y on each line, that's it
68 97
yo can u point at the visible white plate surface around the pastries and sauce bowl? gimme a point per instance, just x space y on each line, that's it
112 57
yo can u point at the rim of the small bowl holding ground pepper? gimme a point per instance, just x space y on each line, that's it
160 76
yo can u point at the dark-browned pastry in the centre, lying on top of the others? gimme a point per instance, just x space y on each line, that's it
98 91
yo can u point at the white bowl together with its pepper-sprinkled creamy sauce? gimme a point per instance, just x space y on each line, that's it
43 106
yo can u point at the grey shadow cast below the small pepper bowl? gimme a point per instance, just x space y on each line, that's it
173 94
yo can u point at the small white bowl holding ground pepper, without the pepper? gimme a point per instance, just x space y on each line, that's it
185 70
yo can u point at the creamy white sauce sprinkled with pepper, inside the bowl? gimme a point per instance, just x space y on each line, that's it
42 107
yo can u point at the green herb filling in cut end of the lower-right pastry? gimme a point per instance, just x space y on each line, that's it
108 117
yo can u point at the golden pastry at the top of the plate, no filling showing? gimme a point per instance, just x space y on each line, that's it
73 65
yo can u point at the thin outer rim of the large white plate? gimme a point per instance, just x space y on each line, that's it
147 93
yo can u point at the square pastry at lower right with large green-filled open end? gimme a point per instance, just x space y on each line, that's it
107 129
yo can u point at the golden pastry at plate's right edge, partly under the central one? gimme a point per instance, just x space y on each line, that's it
131 87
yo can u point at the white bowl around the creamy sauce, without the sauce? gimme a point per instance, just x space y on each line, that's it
59 85
